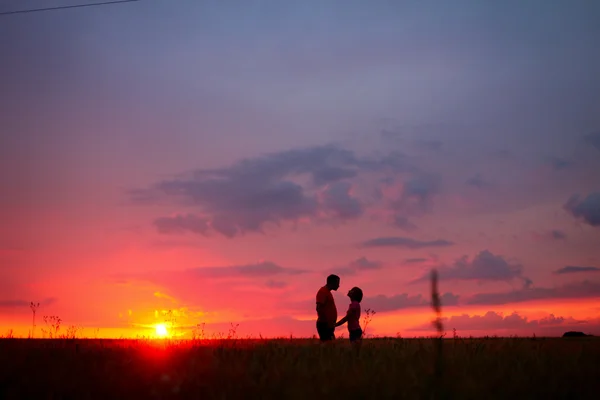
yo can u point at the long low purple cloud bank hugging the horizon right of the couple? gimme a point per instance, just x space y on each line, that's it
495 321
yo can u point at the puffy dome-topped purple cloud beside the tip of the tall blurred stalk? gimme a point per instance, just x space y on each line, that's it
485 266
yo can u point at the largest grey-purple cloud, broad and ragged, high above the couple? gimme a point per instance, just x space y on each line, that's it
284 186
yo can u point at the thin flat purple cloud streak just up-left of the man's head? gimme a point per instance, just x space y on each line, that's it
259 270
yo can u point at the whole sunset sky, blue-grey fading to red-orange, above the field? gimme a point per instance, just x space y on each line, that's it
220 158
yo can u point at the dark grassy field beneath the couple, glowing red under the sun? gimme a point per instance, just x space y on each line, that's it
494 368
